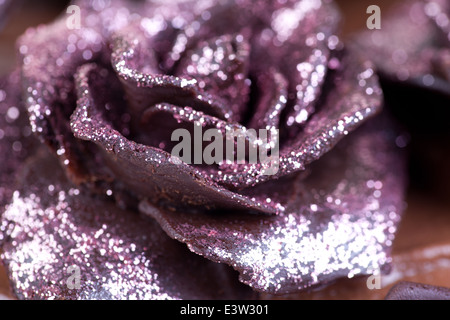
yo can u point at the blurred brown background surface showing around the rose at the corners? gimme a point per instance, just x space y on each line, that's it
427 219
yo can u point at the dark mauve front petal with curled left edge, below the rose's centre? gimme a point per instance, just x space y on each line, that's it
161 177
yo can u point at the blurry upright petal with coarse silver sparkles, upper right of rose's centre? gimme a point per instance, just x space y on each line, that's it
308 25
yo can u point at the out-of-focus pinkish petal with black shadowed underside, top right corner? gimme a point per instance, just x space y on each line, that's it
412 64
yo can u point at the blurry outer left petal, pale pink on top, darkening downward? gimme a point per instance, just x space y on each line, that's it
47 81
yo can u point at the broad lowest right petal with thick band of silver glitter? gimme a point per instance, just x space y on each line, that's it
340 223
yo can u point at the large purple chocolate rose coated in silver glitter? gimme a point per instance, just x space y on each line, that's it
107 97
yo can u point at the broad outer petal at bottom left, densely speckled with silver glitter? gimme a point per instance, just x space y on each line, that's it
59 243
